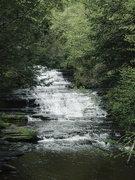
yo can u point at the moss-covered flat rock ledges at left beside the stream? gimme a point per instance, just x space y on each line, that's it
10 131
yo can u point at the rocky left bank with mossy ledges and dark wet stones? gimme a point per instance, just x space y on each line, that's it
15 138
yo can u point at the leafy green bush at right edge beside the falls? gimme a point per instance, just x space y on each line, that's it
121 99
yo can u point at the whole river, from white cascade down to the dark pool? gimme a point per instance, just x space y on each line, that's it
73 129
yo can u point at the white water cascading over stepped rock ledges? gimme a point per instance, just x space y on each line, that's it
65 117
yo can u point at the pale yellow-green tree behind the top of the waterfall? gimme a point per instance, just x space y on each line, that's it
70 28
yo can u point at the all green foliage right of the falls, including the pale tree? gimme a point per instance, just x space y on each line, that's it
97 40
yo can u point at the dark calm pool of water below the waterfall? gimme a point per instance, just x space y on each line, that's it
70 165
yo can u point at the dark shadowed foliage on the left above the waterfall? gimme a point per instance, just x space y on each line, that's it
23 28
